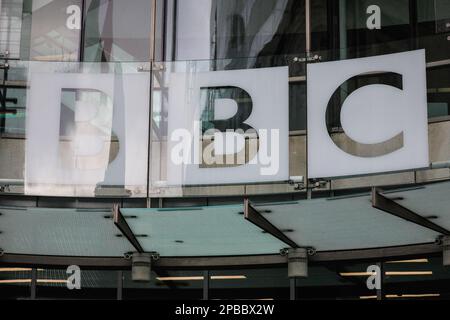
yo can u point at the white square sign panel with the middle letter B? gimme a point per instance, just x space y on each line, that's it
228 127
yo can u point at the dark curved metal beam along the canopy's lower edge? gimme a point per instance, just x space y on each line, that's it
120 263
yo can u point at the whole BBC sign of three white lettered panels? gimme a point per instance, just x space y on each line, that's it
365 116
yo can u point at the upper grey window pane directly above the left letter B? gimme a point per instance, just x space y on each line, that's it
117 30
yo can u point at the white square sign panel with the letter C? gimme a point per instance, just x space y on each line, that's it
381 105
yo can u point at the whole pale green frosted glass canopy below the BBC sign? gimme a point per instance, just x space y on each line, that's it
327 224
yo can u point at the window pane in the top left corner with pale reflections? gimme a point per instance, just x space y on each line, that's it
44 30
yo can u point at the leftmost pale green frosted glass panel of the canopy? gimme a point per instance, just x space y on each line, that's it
61 232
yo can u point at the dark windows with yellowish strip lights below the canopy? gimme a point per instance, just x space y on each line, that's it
421 278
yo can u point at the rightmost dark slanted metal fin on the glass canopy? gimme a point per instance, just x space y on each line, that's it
385 204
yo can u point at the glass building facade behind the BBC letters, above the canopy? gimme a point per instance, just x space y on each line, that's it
175 36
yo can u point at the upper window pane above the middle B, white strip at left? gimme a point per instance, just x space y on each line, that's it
224 29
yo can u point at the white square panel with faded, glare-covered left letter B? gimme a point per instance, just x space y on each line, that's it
85 131
